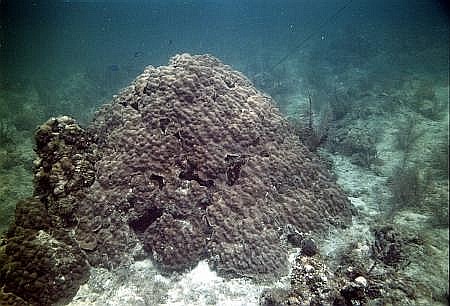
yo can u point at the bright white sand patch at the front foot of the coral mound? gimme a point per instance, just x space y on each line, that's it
142 284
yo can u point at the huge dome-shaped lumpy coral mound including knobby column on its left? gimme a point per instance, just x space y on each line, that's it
191 162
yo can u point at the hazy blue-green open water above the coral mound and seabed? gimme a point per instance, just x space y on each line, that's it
104 44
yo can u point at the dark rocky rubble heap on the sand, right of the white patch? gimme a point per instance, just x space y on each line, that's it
365 273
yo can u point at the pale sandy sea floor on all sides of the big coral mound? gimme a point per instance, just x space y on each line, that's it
369 188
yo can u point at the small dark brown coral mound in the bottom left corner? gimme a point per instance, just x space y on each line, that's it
39 265
